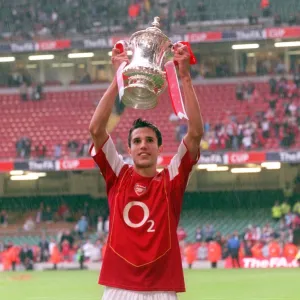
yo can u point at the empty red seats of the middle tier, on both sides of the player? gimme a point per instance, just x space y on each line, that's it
63 116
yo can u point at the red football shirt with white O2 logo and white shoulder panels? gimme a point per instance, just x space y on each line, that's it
142 249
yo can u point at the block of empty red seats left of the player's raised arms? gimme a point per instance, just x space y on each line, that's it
59 118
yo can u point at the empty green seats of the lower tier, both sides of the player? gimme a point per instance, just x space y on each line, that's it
226 211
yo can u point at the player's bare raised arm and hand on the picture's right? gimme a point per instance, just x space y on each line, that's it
192 107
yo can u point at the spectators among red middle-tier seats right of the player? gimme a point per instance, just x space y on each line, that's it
280 122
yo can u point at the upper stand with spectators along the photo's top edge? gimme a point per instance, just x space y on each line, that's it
30 19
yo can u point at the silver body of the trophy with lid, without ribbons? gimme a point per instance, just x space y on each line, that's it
145 77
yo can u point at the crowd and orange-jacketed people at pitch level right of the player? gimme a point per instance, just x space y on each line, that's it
257 242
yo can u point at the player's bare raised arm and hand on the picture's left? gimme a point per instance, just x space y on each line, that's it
103 111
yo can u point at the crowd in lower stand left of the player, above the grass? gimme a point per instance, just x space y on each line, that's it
69 245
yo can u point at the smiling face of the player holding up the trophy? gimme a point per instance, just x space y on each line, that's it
144 148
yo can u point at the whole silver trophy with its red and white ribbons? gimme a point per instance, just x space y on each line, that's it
150 71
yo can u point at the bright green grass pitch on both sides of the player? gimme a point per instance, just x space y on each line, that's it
263 284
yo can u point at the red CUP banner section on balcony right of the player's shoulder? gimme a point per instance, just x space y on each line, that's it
244 157
